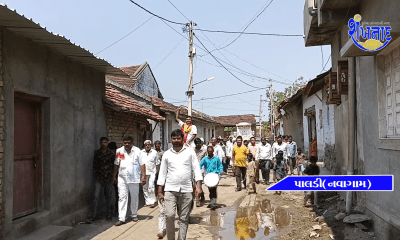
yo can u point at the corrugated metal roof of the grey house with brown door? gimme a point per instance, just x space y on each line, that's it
18 23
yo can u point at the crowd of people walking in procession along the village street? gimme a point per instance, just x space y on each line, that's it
172 180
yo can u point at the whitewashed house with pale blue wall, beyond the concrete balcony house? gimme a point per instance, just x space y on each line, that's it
307 116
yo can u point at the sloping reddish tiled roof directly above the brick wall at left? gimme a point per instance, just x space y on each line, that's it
121 102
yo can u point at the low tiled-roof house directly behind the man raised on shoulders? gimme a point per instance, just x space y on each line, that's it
205 124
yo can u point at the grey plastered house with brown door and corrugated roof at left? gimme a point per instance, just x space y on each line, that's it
51 119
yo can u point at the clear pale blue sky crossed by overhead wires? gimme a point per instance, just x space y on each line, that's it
96 24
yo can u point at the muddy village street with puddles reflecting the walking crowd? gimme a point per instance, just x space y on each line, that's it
290 219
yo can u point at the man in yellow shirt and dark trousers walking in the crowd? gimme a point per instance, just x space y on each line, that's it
239 157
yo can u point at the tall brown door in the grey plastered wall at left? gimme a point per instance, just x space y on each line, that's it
25 155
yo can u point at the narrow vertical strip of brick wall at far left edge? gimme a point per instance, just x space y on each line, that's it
1 137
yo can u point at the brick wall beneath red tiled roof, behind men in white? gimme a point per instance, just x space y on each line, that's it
120 124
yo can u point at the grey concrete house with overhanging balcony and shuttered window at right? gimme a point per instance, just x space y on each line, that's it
364 90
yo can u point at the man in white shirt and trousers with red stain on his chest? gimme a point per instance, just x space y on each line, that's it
130 168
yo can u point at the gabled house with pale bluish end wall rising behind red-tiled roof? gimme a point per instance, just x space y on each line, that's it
141 80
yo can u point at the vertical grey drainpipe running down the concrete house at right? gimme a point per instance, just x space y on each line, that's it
352 129
